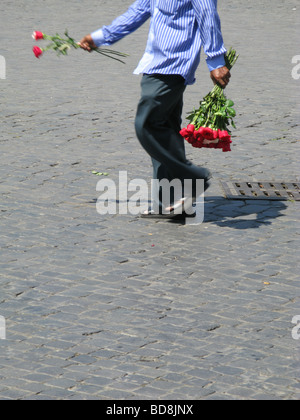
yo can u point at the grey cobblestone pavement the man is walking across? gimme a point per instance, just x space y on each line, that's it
116 307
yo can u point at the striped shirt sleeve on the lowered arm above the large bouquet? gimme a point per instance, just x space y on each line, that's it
210 30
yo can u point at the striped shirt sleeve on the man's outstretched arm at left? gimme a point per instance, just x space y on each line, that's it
137 14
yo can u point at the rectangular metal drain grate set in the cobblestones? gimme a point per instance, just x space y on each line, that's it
262 190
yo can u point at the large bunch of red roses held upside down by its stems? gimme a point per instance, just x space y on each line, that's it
209 124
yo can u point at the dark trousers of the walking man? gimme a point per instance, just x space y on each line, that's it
158 122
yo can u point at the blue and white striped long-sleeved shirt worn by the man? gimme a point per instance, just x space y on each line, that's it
178 31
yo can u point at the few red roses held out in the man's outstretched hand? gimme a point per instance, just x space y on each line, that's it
62 46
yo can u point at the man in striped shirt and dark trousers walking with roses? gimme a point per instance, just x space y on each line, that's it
178 31
